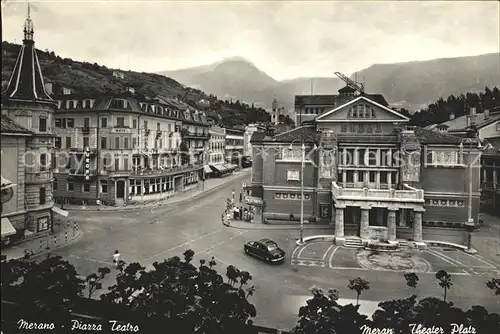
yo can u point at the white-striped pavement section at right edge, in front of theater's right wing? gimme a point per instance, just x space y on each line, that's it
458 262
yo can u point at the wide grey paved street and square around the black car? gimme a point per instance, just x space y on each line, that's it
148 235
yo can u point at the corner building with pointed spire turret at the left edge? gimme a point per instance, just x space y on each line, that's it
27 140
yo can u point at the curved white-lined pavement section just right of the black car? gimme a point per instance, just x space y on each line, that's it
312 254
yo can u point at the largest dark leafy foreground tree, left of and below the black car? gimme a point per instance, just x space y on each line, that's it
196 297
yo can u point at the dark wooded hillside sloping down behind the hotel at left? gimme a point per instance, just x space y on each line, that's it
91 78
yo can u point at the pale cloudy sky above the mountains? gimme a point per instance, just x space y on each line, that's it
285 39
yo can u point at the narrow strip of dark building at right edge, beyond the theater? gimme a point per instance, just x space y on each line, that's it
490 180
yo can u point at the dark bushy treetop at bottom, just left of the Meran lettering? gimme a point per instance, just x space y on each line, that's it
323 315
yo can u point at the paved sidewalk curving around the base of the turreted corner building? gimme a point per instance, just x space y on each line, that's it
63 235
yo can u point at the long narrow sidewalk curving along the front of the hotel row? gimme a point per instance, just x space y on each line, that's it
210 184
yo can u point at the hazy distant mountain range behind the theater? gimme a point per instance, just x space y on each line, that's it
412 84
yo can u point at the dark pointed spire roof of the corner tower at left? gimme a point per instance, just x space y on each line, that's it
26 81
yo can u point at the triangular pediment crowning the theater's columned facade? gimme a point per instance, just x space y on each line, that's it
361 109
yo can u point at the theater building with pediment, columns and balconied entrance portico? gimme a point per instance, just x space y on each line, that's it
367 174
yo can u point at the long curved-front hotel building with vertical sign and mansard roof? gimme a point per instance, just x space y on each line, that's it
118 149
